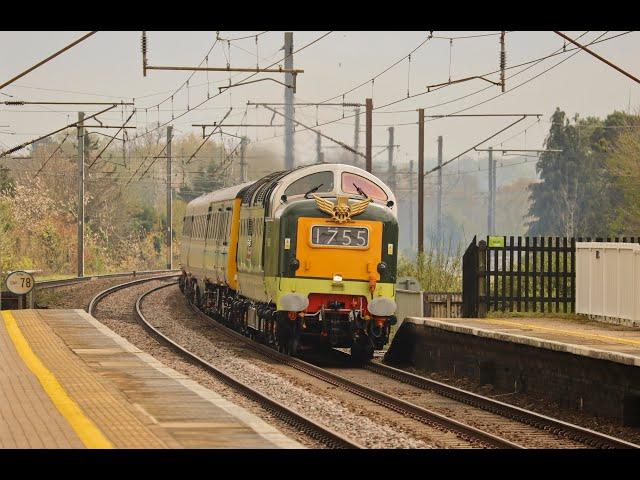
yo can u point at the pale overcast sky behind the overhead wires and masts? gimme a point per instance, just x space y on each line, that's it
108 67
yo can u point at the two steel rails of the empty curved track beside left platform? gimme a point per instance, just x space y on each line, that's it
309 427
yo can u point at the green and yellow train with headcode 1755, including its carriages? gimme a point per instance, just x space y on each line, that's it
298 259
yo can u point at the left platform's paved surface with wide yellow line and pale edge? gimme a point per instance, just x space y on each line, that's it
67 381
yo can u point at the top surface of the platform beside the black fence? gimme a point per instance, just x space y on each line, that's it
578 336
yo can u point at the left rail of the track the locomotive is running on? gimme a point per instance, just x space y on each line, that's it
406 409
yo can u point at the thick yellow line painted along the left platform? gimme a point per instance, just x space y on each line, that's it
90 435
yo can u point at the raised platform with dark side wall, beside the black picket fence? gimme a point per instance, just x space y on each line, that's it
578 363
